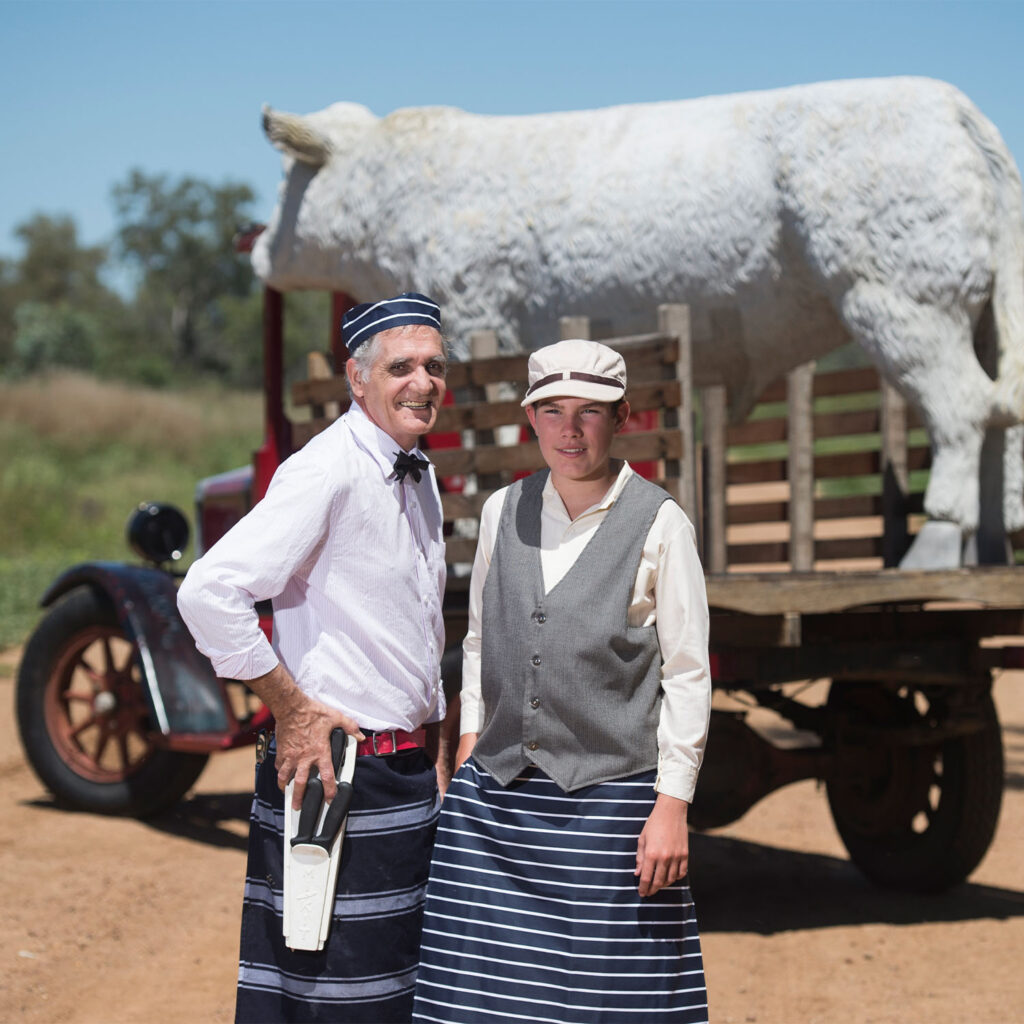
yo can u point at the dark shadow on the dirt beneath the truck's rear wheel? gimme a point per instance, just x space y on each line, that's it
749 887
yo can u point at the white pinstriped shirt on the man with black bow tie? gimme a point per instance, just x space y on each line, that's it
354 563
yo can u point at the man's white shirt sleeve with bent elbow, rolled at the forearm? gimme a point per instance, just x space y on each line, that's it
253 563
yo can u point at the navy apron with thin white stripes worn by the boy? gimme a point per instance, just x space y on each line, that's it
533 912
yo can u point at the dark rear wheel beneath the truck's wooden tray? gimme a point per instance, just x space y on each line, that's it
915 802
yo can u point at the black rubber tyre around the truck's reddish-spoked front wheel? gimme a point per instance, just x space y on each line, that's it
154 786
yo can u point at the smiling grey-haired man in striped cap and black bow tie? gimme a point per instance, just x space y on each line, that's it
348 544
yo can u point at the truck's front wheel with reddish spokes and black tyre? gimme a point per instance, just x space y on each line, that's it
83 716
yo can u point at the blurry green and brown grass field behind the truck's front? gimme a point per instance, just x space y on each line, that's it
77 455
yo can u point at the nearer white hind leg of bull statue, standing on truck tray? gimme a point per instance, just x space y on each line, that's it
928 354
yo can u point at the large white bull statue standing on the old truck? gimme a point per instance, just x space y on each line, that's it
888 211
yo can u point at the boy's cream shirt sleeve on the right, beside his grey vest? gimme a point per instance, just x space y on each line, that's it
681 603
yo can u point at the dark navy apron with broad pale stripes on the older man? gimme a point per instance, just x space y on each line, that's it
367 970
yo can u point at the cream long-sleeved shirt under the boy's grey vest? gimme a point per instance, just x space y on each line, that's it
669 592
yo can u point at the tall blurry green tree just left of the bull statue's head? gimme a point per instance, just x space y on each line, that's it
179 238
